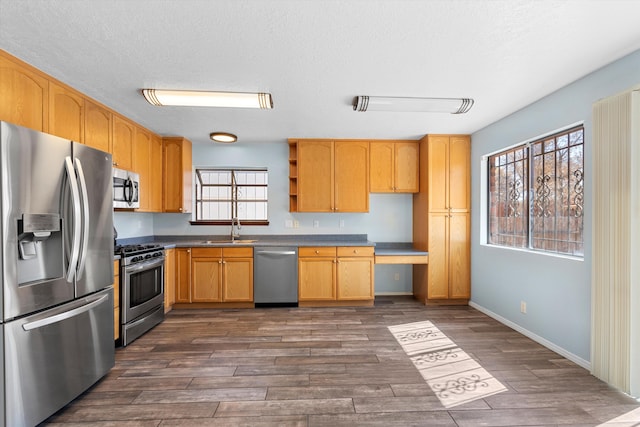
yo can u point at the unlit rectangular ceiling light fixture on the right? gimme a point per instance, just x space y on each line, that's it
427 105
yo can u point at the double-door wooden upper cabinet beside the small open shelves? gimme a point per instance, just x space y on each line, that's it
333 176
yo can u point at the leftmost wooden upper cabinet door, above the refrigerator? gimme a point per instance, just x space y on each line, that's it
24 94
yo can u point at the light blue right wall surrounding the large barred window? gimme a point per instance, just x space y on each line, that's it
557 290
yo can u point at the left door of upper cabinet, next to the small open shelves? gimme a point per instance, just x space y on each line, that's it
315 176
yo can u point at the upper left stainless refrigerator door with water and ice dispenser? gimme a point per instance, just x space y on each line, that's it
34 261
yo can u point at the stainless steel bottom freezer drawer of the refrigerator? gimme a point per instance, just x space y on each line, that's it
52 357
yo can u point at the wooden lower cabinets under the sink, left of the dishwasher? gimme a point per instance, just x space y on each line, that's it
215 275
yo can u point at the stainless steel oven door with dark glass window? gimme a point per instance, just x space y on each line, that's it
142 288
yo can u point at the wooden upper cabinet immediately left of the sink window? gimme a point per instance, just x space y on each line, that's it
177 175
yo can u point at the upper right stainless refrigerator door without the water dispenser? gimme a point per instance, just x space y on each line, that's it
93 168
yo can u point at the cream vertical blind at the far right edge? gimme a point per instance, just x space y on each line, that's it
615 345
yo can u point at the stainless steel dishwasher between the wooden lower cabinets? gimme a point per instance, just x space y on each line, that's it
275 276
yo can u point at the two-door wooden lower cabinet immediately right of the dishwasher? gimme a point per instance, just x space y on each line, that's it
335 274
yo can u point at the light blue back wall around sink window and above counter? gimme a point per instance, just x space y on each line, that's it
389 218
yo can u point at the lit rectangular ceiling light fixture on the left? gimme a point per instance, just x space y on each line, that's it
190 98
